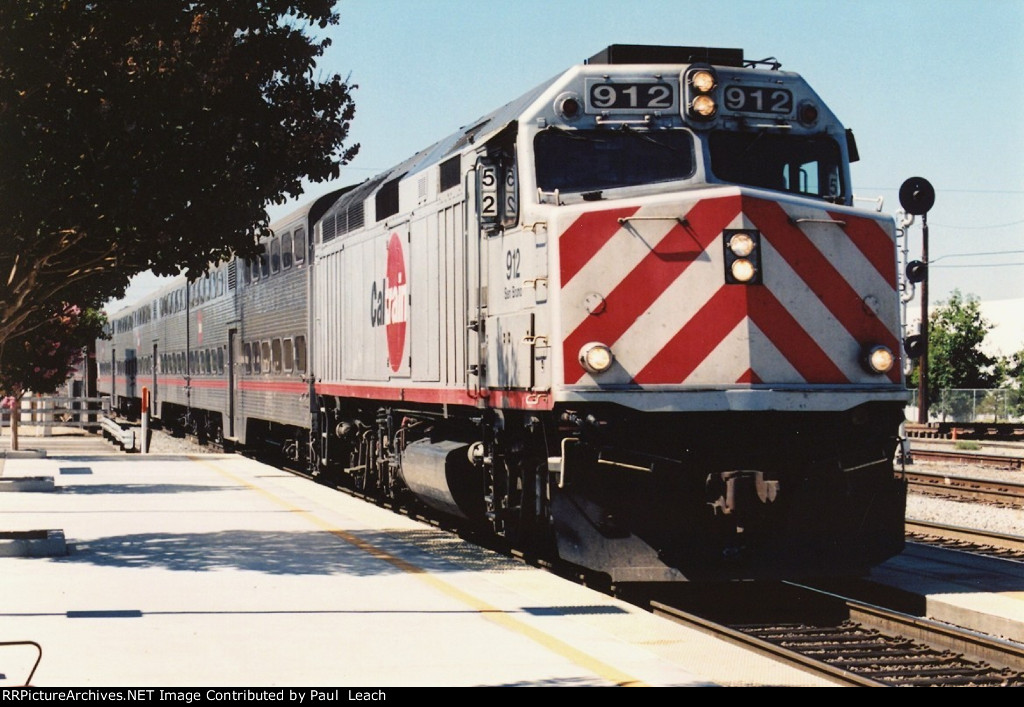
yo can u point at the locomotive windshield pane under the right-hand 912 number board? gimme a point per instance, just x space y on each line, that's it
802 164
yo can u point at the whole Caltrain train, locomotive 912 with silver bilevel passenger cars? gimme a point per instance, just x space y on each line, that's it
632 316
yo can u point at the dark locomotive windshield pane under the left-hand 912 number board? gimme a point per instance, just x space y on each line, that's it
594 160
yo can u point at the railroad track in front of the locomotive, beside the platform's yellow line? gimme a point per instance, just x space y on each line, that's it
856 644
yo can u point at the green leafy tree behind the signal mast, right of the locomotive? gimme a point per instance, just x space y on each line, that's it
956 334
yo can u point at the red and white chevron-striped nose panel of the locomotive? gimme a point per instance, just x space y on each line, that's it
828 289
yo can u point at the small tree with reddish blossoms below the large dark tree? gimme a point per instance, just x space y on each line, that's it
45 357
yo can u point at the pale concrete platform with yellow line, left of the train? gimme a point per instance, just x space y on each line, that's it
219 571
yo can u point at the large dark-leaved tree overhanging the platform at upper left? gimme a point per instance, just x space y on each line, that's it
153 136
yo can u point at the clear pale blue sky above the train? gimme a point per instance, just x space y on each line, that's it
931 89
